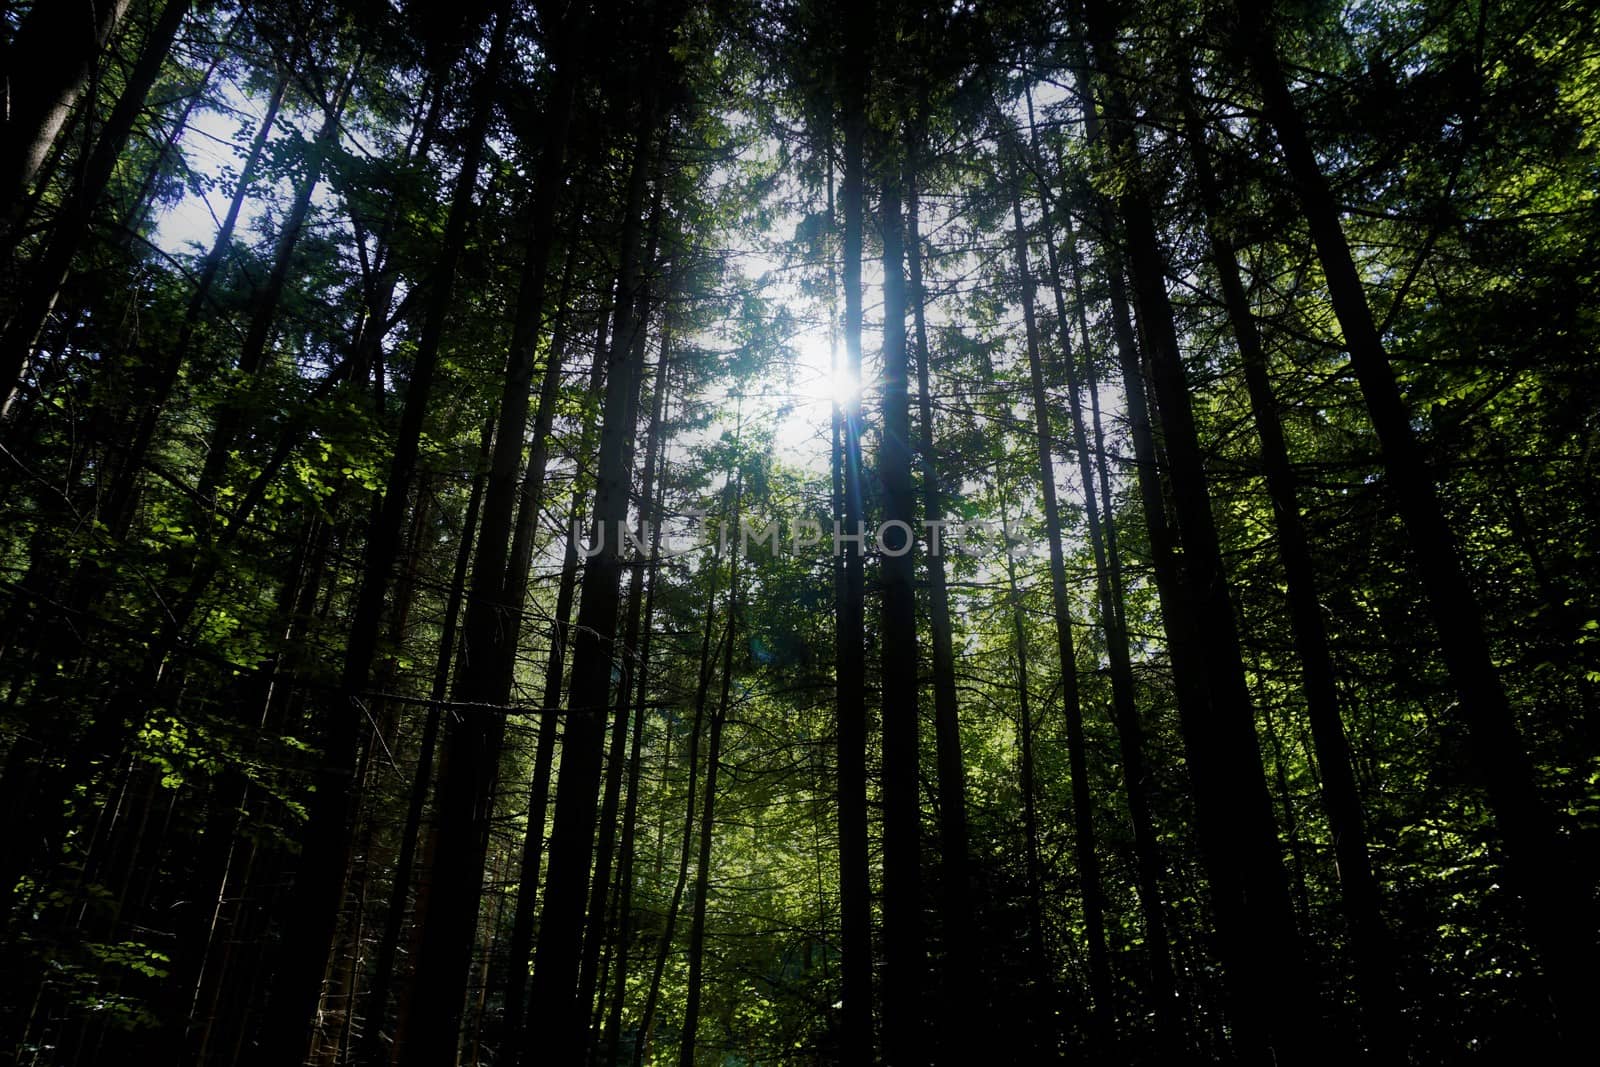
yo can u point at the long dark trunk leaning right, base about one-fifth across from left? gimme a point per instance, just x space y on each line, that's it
319 890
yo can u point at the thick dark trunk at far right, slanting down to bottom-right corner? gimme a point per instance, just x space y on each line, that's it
1558 909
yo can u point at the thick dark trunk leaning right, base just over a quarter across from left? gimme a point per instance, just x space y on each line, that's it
473 745
